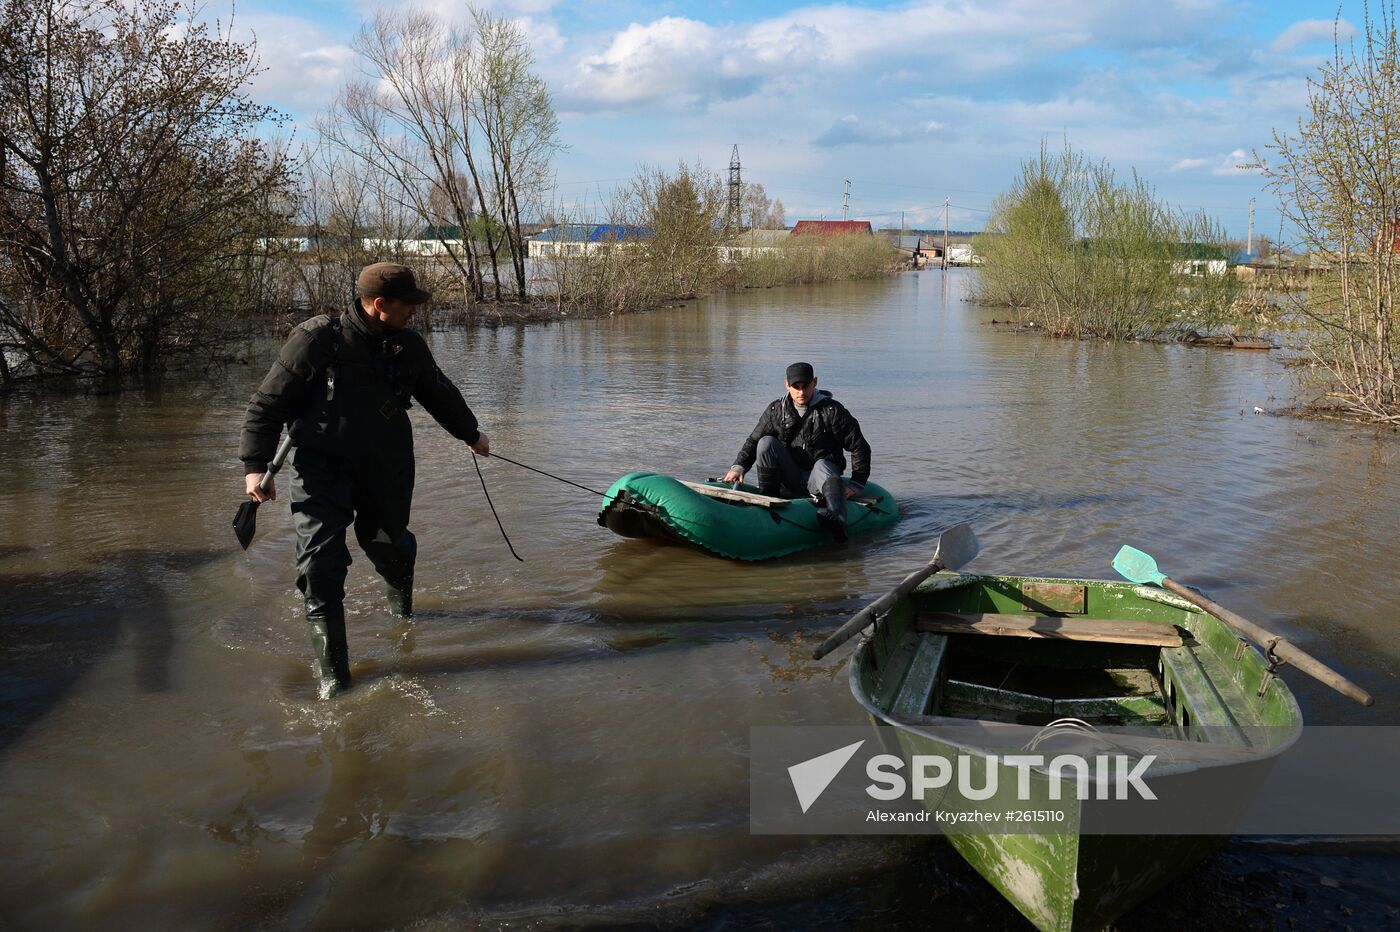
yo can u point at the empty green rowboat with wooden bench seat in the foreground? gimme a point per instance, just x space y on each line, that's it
992 653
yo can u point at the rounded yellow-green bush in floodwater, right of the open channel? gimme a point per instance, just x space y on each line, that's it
1081 254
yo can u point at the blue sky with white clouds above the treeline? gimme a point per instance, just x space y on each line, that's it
911 101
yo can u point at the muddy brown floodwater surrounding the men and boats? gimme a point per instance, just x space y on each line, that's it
563 742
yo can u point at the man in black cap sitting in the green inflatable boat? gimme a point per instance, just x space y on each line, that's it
799 449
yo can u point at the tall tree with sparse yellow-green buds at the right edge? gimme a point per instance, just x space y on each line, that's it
1339 180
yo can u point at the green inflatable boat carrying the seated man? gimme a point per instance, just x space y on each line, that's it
731 523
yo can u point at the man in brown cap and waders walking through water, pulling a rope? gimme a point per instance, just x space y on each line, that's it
348 383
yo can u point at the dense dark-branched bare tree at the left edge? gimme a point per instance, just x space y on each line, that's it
132 187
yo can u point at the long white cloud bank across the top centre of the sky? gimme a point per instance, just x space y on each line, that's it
687 64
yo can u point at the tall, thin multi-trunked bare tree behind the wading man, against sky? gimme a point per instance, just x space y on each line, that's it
463 129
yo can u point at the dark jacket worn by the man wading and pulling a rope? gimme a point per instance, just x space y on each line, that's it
351 381
